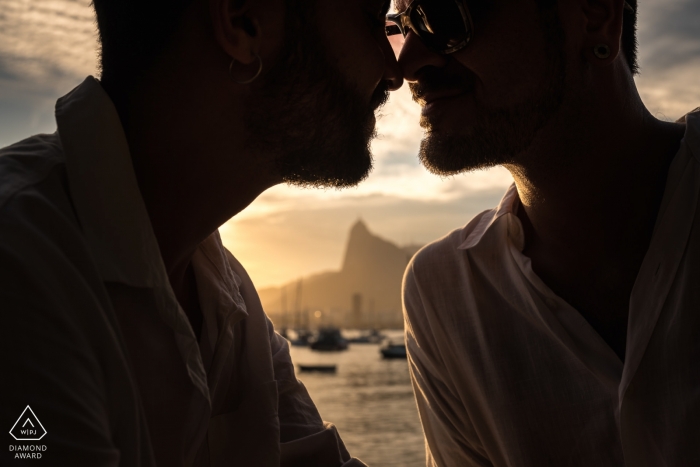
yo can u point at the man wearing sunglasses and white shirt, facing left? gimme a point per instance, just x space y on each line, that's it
559 328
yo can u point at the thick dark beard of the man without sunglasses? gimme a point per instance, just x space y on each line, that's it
318 126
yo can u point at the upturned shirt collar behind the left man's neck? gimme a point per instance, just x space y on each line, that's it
104 190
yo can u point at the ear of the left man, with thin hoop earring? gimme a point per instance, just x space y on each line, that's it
236 29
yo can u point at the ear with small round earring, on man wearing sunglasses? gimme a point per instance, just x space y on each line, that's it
603 22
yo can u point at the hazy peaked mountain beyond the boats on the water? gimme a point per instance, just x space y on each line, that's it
367 289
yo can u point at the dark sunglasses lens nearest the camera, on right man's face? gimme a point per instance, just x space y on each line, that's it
441 24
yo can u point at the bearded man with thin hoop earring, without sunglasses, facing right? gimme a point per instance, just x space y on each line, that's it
135 337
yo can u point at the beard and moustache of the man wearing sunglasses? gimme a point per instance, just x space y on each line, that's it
499 135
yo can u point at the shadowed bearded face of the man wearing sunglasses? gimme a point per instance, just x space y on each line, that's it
484 105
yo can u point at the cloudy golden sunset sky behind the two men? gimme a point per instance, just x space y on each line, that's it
47 47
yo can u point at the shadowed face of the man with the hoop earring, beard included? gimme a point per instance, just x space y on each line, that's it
316 107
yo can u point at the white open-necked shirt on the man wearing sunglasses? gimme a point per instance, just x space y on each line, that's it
506 373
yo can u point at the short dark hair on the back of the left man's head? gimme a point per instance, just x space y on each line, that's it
133 34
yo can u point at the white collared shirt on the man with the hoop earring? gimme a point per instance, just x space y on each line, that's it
94 340
